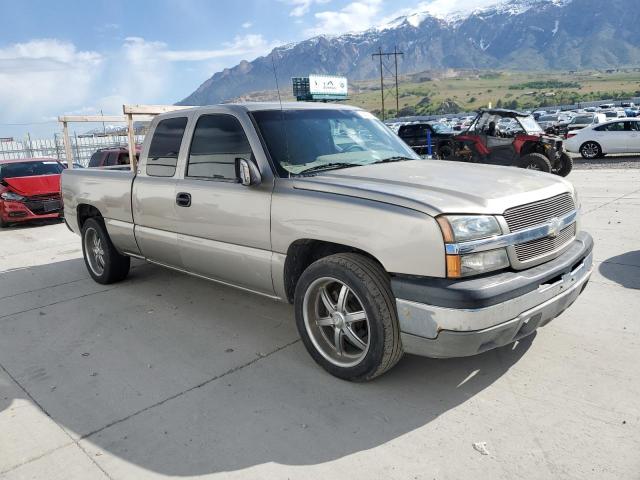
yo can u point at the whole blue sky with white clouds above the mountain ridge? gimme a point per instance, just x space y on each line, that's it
80 57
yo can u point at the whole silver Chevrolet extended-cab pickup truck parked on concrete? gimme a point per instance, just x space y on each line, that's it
322 206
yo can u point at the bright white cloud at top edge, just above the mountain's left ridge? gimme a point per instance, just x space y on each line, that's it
355 16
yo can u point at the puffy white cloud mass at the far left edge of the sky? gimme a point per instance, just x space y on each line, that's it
42 77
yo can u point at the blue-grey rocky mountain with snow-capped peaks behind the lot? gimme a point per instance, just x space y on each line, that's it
517 34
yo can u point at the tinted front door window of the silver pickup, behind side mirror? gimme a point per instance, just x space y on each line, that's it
218 140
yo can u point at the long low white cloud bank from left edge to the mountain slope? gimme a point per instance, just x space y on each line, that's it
43 78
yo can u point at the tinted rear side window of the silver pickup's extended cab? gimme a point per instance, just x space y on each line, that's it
165 146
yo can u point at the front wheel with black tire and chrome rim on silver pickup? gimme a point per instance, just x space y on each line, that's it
346 316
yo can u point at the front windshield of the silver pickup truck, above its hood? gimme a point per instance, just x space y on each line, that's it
312 140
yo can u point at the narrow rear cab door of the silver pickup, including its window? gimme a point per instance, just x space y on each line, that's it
154 193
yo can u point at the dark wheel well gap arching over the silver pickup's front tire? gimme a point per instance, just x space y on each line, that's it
304 252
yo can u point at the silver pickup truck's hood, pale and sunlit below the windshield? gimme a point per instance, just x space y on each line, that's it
435 187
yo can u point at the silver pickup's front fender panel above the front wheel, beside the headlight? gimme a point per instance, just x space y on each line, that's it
403 240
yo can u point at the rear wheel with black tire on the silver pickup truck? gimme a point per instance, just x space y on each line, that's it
104 263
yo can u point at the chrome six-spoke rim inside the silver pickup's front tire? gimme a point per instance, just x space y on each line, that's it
336 322
